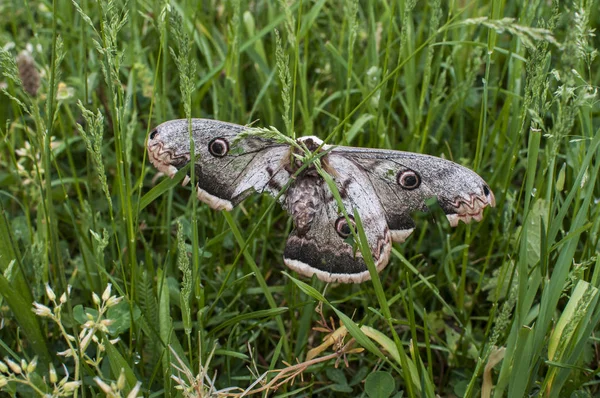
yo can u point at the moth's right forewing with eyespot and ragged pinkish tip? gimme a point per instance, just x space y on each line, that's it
404 181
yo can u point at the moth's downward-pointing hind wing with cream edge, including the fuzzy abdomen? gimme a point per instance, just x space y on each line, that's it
320 242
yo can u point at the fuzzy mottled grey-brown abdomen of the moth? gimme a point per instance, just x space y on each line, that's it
303 201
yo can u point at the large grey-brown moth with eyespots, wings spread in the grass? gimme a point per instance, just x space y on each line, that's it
383 186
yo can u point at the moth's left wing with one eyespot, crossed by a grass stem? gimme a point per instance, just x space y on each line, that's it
227 169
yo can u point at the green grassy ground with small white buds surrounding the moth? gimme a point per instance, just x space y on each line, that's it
505 307
